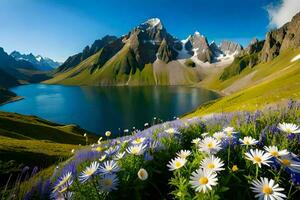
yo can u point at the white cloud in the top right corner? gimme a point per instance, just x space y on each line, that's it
283 12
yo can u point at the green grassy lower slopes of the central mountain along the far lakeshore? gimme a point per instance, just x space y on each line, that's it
123 69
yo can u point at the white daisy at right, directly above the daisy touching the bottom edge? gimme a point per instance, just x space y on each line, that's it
258 157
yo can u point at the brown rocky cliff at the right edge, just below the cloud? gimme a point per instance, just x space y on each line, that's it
281 39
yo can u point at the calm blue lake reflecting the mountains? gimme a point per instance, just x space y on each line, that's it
98 109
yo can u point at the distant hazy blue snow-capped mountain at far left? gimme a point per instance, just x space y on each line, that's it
39 62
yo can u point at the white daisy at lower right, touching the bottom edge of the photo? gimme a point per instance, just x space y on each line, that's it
267 189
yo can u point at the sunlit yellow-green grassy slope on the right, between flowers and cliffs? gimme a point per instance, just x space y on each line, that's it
266 83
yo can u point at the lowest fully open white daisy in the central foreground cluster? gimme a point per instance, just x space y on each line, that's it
202 180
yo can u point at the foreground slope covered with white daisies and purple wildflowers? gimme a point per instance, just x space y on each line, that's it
239 155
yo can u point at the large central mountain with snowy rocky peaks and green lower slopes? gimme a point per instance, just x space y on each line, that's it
147 55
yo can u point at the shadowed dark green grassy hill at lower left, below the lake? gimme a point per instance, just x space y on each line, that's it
31 141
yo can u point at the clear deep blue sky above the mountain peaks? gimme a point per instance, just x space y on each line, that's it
60 28
